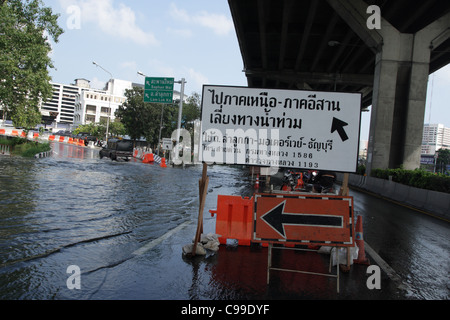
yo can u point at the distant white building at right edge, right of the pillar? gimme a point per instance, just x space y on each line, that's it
435 137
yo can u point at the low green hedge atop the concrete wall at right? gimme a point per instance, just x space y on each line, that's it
415 178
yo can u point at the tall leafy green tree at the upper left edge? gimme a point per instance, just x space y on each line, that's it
24 60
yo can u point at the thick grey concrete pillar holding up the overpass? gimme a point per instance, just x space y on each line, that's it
399 95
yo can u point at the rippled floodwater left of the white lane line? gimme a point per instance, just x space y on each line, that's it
74 208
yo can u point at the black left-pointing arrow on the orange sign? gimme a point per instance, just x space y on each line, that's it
277 219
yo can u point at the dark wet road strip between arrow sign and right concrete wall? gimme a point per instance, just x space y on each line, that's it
414 244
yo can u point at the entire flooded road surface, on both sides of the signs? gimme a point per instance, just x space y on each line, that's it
75 209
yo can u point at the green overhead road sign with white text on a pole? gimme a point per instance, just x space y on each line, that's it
159 90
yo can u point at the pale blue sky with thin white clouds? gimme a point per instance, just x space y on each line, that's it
194 40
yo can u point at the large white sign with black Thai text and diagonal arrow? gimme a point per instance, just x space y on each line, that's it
280 128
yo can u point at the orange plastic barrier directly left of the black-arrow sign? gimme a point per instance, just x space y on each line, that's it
234 219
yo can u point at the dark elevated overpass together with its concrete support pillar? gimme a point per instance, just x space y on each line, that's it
344 45
